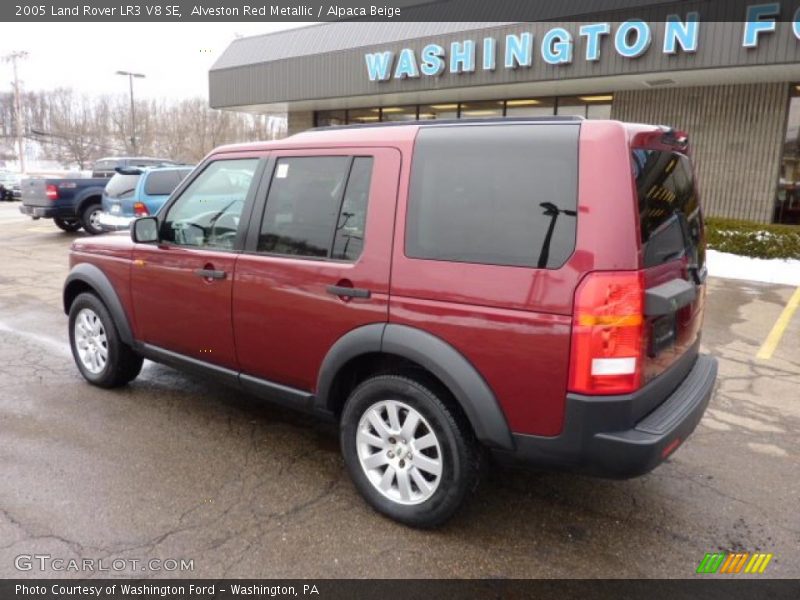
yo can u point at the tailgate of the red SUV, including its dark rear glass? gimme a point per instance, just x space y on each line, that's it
673 256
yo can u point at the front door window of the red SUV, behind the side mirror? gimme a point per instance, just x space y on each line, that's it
207 213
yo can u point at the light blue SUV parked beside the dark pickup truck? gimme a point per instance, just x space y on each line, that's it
137 192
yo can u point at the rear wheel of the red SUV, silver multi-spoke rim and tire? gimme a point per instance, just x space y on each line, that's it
454 449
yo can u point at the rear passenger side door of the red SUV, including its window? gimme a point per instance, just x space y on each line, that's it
317 265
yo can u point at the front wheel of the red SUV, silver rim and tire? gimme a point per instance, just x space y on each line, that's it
113 364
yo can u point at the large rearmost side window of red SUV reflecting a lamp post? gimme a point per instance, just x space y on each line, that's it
494 194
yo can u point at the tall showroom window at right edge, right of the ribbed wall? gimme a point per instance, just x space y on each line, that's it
787 203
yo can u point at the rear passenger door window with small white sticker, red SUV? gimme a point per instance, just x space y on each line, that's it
316 207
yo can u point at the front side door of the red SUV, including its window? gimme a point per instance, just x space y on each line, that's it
181 287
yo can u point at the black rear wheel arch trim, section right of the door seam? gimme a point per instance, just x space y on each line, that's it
461 378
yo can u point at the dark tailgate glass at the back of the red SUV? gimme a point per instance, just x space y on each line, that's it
669 212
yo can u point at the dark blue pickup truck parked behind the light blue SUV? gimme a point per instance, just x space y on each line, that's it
72 203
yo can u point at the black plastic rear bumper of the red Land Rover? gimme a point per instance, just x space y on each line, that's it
591 443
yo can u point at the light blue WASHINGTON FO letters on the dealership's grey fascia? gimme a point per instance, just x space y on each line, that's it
558 46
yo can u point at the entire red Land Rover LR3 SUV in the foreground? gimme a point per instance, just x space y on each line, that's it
529 289
